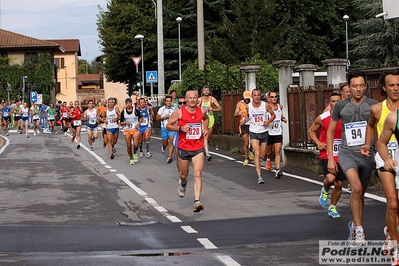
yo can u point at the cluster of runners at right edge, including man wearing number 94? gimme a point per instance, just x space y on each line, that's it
356 133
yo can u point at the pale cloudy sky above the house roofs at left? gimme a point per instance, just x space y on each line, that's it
55 19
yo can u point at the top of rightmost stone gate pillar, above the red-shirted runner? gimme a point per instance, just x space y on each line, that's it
336 71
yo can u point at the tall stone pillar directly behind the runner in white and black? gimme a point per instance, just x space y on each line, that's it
284 80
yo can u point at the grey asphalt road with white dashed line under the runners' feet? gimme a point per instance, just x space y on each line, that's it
65 206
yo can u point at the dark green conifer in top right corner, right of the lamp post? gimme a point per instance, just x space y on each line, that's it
376 41
